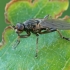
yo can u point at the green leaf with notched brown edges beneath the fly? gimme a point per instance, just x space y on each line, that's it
53 52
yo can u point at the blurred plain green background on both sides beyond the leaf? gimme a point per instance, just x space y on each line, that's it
2 20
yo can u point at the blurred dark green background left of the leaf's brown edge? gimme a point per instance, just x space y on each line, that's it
2 20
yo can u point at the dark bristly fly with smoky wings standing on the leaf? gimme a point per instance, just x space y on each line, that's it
40 26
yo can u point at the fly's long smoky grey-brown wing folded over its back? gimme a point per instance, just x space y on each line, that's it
55 24
